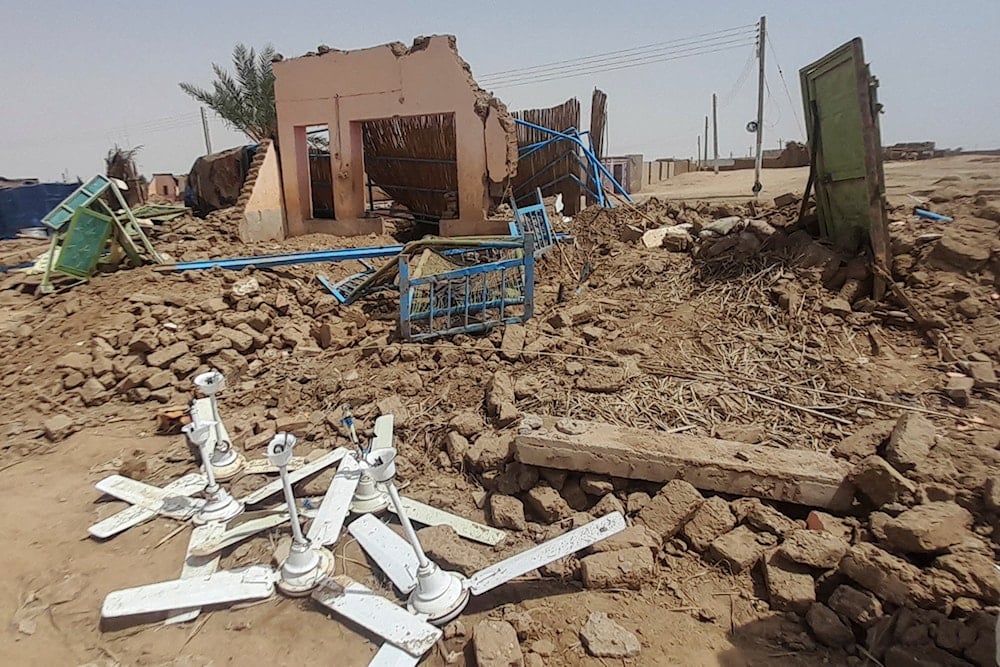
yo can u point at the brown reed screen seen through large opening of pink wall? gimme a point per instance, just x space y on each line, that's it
413 159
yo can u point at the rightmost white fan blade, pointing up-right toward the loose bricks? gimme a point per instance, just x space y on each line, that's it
546 552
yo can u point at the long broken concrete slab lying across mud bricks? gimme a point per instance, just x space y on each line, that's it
796 476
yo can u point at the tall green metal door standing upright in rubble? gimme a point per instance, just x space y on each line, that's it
841 111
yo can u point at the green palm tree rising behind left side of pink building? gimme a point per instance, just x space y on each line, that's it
245 101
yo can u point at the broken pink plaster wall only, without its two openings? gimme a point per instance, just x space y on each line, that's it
341 89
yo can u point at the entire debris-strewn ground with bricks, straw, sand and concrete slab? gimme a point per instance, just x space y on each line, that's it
809 474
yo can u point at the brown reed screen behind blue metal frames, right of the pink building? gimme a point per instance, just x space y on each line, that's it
550 167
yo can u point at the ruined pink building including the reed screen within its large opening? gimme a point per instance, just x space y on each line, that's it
411 119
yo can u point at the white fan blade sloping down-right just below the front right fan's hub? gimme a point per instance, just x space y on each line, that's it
355 602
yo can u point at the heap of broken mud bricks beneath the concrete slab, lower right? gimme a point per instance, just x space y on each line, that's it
905 576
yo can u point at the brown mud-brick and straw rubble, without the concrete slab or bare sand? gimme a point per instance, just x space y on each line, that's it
647 339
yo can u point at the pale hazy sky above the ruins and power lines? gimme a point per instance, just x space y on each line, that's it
78 77
